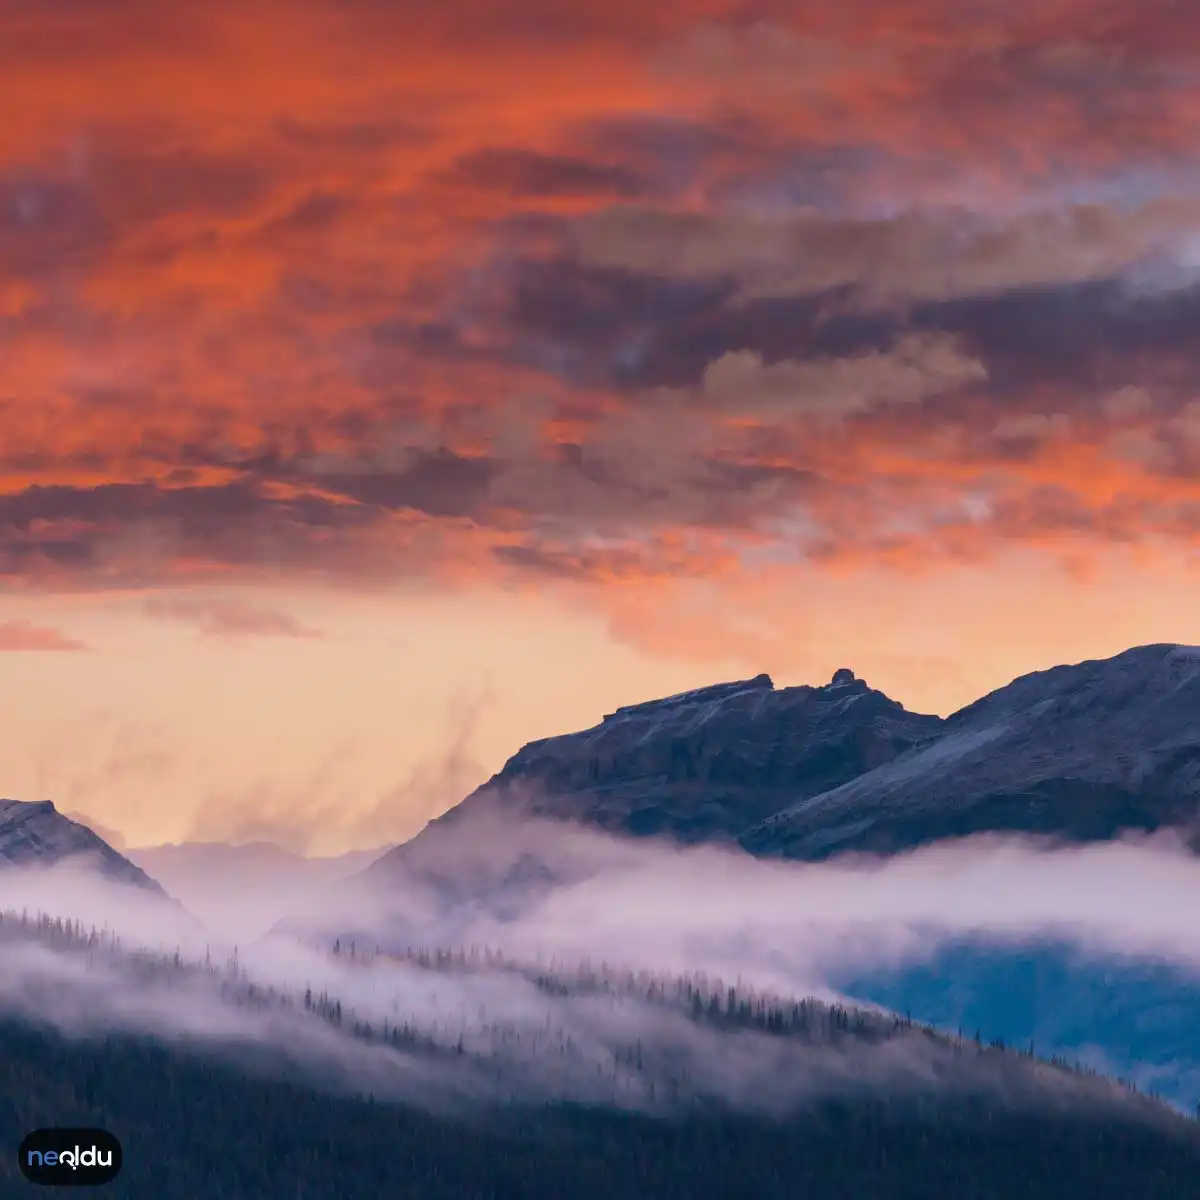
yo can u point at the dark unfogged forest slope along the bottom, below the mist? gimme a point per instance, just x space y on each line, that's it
194 1126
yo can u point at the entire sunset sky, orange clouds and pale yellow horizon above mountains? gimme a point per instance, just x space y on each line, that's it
387 385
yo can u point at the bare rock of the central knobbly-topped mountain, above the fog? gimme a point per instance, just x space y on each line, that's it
701 766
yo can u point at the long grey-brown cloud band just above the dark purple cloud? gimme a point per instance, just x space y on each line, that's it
926 255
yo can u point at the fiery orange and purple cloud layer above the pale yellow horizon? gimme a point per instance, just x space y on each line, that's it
569 293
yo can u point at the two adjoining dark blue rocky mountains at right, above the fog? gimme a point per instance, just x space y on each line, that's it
1082 753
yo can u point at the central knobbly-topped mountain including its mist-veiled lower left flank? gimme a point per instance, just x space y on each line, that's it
703 766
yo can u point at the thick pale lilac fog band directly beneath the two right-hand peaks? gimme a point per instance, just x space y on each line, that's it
776 925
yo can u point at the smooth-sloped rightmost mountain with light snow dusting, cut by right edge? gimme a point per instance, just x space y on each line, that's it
1085 753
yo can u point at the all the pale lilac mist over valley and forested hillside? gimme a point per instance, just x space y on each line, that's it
719 919
